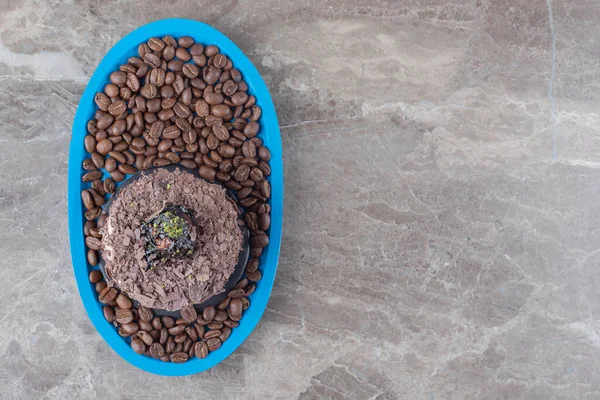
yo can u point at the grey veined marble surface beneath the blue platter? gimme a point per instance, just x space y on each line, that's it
441 234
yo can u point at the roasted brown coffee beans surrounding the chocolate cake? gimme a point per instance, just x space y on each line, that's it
179 102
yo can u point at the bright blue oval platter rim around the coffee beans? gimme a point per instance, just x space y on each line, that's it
269 133
